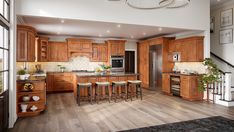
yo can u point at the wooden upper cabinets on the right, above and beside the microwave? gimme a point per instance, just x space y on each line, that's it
191 49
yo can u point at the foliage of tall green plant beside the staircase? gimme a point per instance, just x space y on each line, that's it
211 76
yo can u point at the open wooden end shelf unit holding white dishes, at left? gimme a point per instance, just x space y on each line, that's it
38 90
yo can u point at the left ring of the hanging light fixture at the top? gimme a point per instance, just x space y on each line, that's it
149 4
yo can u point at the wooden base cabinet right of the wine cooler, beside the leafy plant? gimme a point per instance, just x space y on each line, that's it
189 88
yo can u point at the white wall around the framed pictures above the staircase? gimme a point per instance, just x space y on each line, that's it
224 51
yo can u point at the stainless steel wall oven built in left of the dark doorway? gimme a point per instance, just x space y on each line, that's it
117 63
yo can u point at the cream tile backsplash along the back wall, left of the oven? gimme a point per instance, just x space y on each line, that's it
76 63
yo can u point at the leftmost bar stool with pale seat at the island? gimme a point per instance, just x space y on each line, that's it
89 88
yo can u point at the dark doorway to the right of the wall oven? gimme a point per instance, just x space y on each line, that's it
130 61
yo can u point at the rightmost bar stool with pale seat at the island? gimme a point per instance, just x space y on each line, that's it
137 85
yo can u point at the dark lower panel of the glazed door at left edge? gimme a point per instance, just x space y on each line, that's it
4 111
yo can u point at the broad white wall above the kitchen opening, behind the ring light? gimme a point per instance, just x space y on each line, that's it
194 16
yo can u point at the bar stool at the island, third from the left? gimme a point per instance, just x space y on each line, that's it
115 86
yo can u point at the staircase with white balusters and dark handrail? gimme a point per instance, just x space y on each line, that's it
222 92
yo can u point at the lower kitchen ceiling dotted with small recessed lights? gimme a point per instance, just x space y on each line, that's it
82 28
